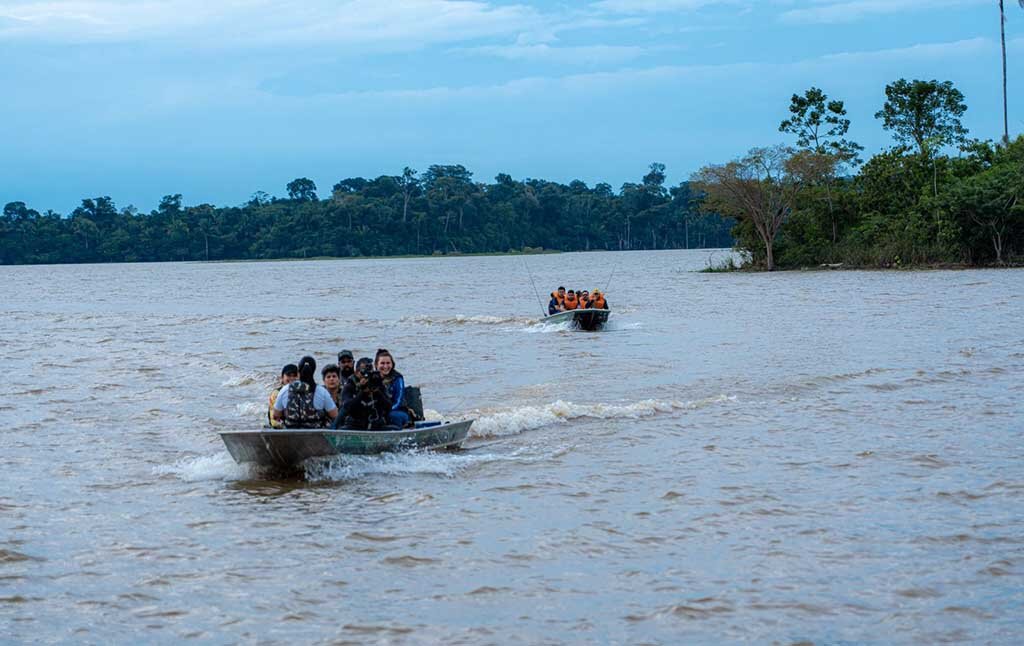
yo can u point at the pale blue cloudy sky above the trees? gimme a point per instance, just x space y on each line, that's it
218 100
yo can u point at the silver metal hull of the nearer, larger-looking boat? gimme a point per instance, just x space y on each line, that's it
289 448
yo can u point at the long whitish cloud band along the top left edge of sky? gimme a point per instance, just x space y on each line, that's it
351 23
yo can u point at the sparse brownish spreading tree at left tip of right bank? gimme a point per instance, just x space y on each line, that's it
762 188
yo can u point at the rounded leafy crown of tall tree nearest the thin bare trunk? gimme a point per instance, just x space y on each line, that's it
926 114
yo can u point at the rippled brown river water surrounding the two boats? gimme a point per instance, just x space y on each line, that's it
791 458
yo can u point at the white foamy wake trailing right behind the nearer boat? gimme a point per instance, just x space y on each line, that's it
523 419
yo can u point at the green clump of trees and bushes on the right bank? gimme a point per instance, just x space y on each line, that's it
935 197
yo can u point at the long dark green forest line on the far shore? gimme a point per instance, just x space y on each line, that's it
440 211
